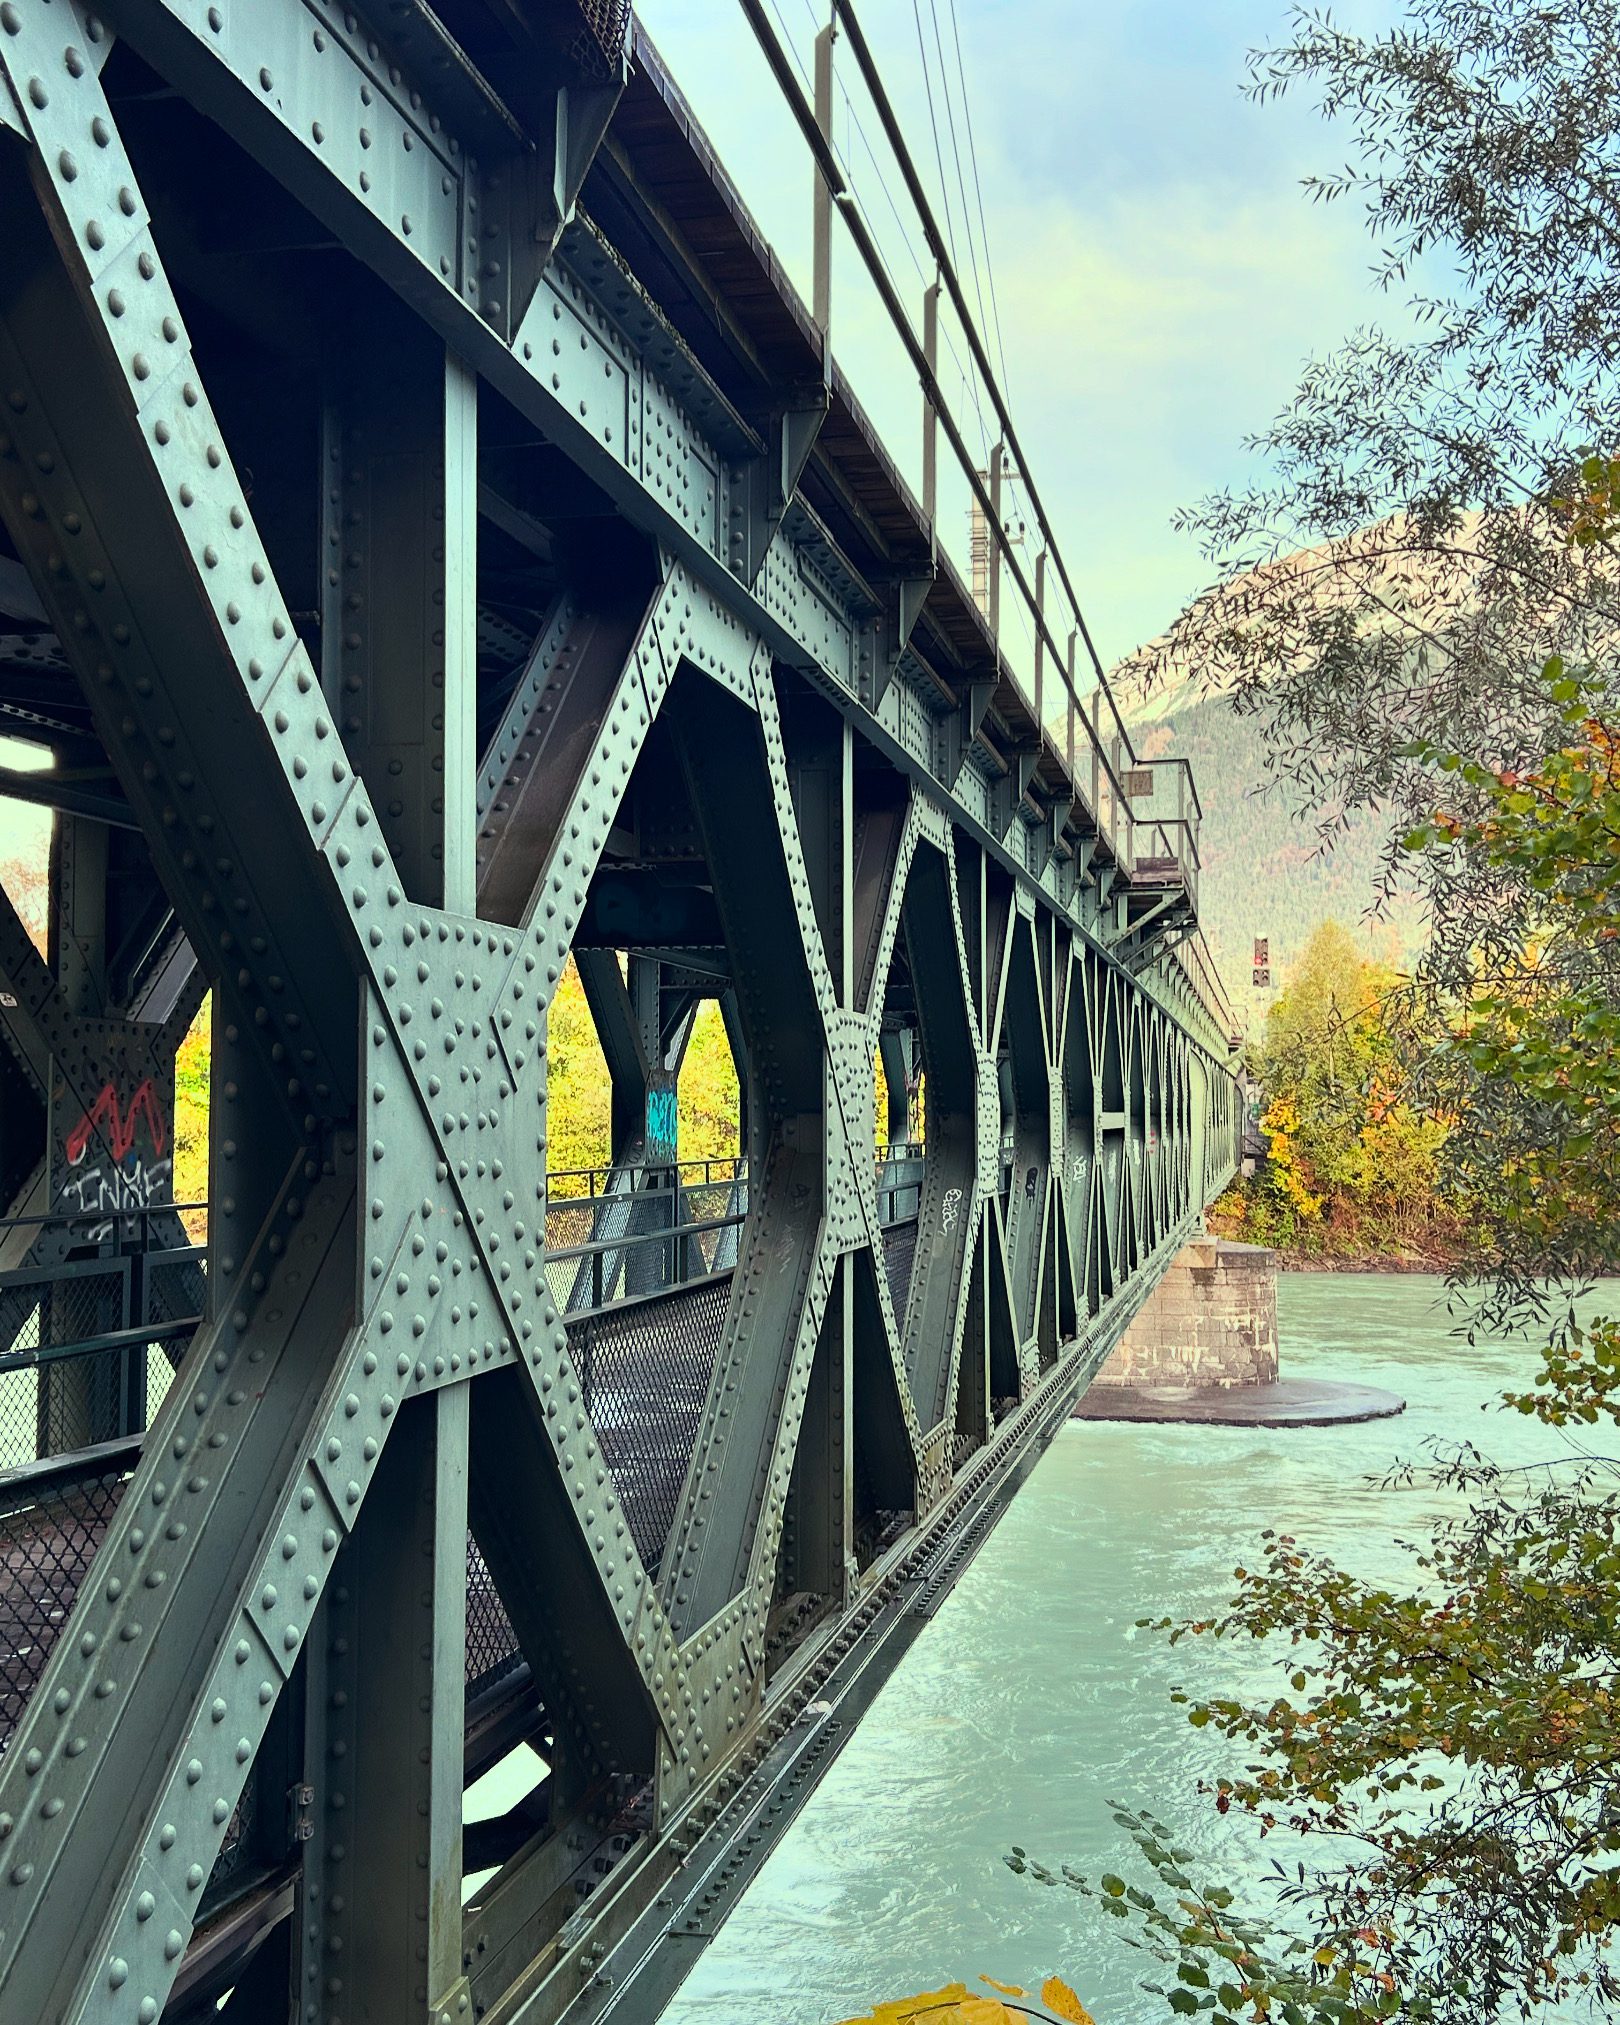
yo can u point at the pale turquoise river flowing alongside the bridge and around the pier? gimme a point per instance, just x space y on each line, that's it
1032 1700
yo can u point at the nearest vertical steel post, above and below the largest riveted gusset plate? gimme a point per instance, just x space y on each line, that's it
382 1933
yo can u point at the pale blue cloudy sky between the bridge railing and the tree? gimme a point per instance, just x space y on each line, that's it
1157 268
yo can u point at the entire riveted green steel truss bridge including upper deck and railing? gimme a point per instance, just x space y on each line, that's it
440 542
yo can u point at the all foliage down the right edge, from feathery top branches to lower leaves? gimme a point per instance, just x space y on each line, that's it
1437 643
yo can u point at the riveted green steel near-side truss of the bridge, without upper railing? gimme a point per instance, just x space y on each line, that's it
384 843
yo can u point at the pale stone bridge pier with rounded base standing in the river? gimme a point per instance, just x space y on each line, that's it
1206 1350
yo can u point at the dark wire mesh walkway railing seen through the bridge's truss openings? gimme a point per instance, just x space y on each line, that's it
92 1335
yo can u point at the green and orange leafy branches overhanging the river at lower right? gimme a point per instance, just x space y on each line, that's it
1459 1740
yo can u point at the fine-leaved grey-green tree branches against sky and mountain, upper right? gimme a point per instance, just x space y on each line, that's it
1398 576
